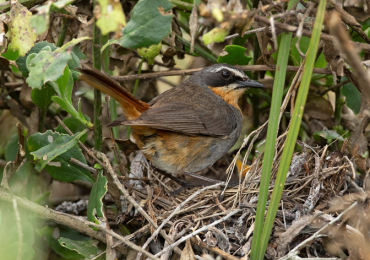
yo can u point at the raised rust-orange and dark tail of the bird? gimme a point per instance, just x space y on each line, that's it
132 107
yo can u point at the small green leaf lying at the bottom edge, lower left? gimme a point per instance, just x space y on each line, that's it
86 248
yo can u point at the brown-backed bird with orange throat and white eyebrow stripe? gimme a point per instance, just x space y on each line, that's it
186 128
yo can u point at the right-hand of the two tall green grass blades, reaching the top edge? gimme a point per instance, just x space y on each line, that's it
293 131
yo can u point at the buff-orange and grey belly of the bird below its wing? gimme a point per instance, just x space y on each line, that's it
178 153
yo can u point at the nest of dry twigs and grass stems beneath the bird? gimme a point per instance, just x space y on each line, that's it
213 220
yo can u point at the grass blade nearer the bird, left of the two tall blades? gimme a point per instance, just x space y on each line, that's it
277 96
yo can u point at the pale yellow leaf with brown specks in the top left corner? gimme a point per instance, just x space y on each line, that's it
21 33
